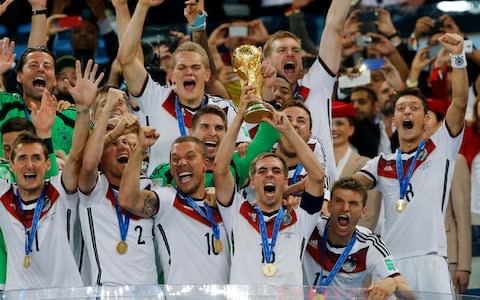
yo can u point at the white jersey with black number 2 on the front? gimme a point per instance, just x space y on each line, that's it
101 233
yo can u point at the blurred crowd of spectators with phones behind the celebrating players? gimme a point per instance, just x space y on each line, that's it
387 45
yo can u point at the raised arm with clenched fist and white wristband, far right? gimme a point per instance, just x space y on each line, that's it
455 117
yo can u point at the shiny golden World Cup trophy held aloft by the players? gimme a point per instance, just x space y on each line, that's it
247 62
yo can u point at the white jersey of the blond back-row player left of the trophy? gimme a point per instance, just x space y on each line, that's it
158 103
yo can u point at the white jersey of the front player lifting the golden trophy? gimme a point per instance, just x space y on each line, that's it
241 221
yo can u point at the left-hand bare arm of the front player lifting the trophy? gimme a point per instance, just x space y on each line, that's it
224 181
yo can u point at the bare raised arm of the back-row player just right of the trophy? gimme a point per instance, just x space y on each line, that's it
331 43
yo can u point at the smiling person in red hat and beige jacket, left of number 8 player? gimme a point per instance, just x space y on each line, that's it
348 161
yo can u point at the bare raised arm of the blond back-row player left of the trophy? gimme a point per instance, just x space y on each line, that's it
133 70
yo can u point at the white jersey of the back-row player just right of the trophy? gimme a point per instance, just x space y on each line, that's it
316 88
